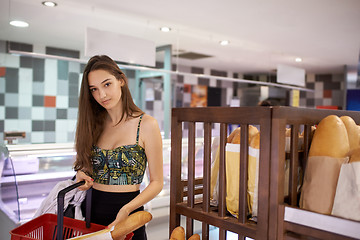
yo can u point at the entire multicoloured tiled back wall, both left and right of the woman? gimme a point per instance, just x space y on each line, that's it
40 96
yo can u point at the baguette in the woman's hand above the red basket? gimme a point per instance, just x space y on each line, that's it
130 224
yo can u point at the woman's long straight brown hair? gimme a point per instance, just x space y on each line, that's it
91 115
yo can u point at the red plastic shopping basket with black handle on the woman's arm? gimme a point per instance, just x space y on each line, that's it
54 227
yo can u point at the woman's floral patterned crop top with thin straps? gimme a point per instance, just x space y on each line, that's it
124 165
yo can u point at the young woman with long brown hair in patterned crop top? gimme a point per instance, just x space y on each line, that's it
115 141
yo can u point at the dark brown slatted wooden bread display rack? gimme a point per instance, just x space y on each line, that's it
279 216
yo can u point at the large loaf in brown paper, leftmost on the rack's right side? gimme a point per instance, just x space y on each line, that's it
330 138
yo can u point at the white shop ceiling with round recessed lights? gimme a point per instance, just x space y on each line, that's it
262 33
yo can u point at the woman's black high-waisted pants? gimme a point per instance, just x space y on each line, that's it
106 205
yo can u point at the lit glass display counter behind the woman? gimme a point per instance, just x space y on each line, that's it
29 172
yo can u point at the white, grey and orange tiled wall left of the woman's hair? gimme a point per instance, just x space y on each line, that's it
39 97
